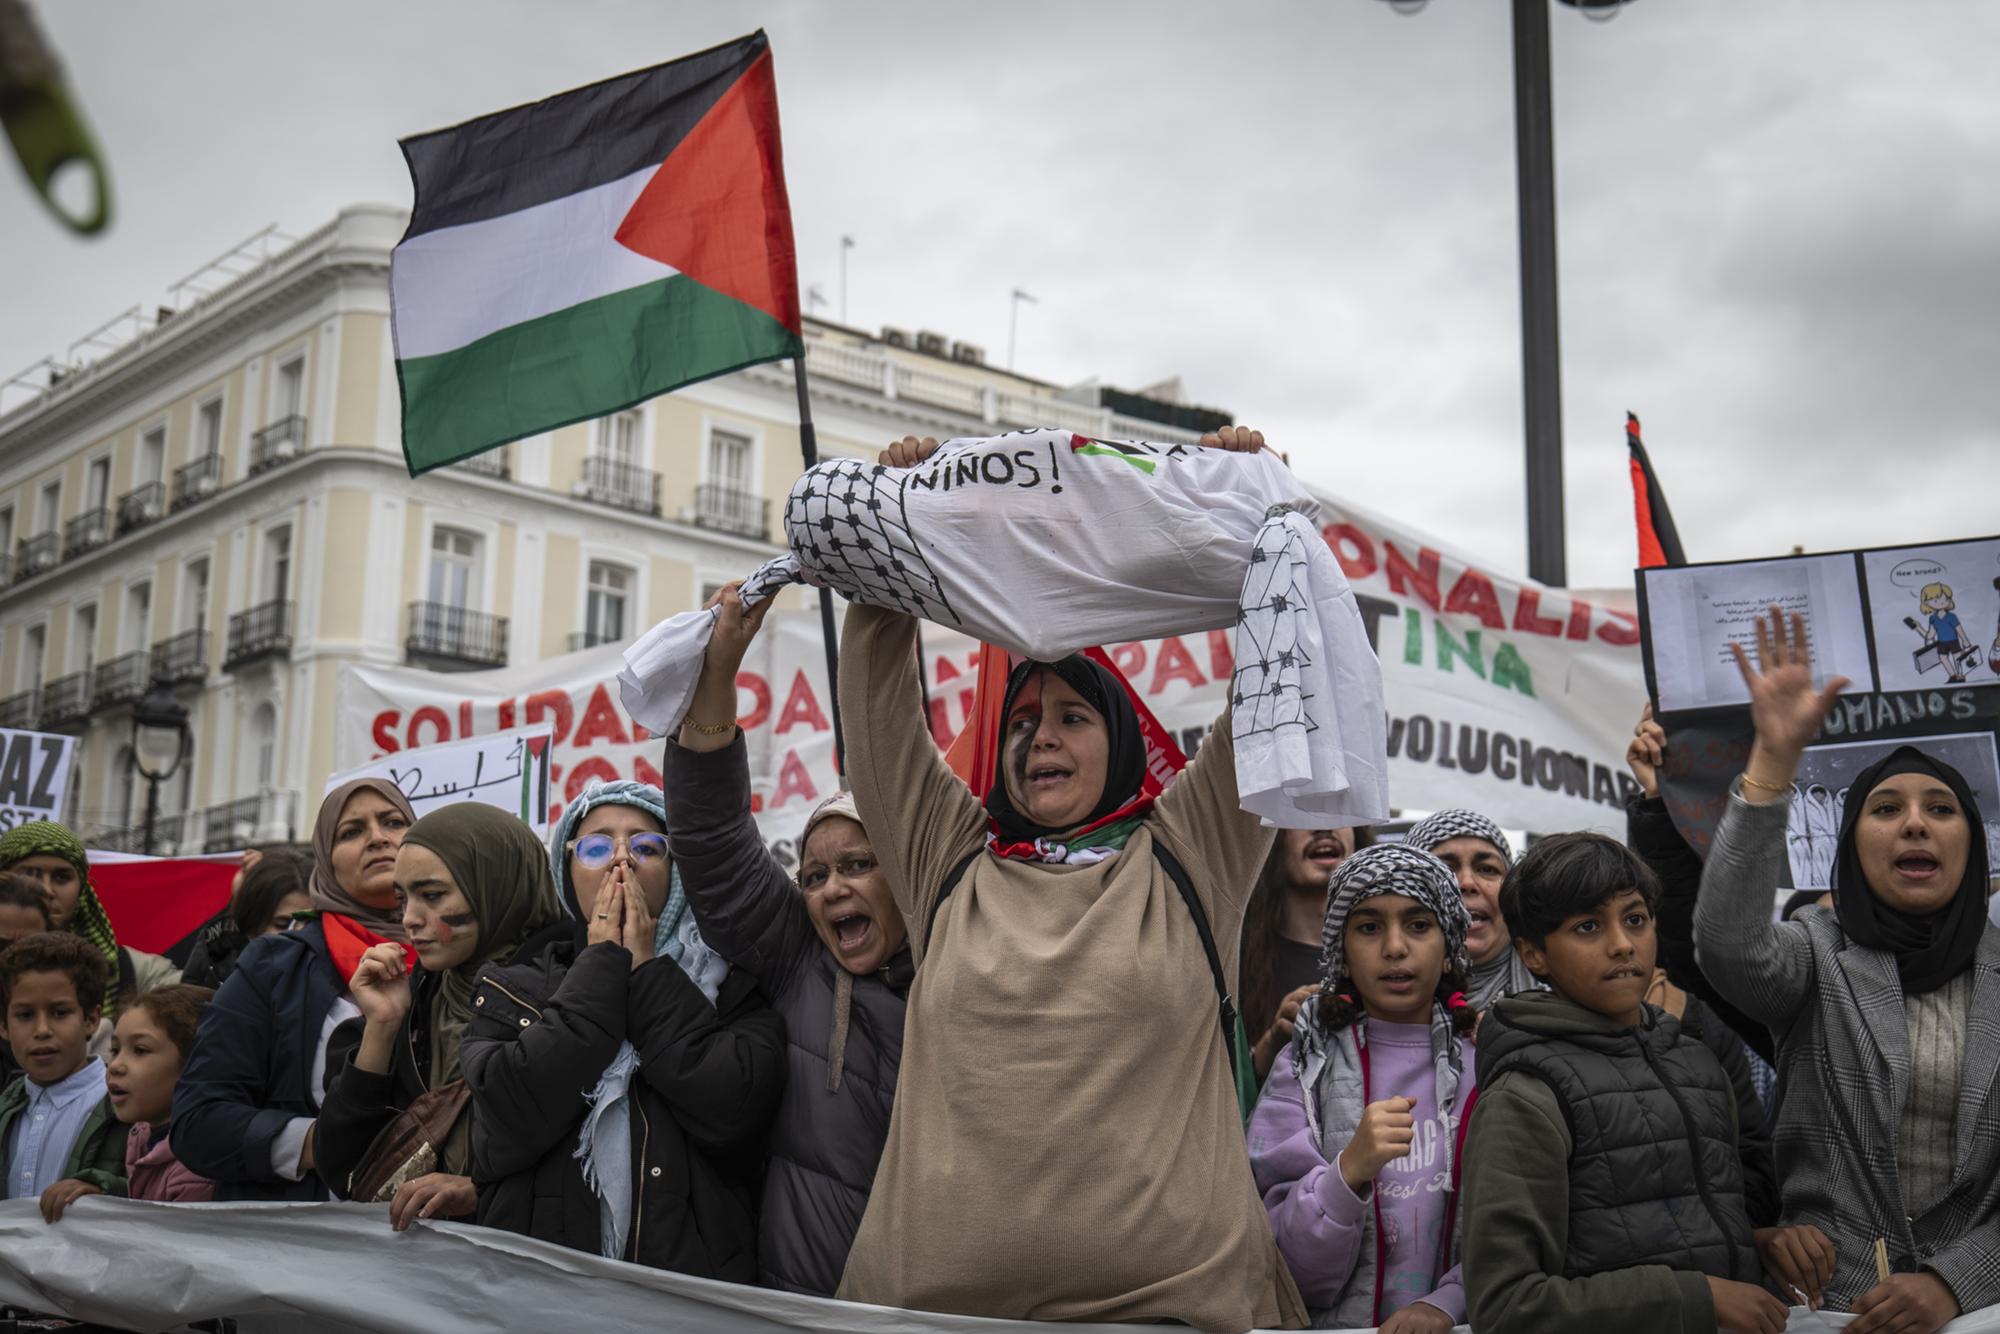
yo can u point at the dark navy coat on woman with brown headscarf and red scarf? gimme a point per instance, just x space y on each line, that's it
251 1069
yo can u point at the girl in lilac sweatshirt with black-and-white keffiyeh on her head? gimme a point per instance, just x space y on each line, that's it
1357 1141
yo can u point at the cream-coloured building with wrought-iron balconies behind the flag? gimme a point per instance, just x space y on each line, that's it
213 493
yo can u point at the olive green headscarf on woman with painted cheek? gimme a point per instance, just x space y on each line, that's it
503 871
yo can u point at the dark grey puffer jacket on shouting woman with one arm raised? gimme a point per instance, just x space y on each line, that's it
831 1127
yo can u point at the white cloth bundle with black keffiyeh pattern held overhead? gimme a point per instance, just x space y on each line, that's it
1047 543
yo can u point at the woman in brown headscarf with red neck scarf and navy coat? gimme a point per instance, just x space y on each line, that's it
283 1025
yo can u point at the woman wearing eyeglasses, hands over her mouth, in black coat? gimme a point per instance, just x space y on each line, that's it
625 1079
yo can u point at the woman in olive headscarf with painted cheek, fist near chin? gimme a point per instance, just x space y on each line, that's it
475 889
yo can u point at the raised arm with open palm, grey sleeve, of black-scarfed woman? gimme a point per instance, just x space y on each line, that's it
1759 965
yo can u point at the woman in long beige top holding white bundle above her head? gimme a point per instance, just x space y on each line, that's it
1067 1141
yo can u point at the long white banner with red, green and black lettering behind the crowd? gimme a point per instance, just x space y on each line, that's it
1503 695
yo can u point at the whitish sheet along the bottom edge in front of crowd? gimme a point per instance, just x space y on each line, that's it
337 1269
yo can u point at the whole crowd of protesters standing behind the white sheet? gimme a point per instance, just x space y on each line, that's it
967 1057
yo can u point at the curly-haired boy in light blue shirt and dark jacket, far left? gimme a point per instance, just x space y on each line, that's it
59 1137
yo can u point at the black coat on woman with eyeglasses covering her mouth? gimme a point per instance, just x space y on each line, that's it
703 1099
